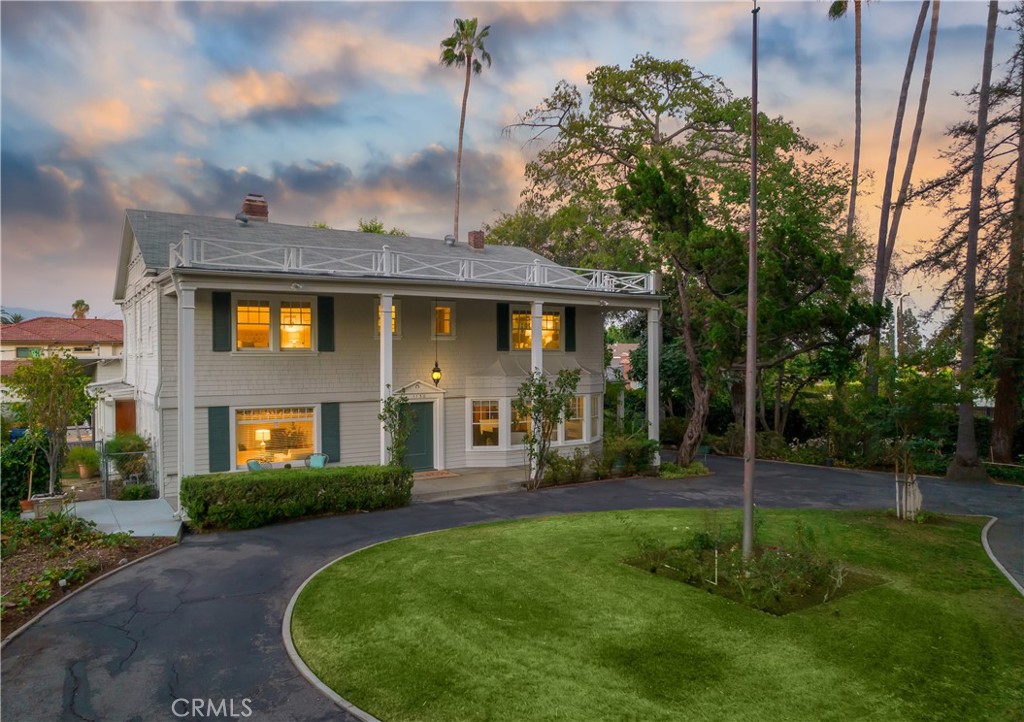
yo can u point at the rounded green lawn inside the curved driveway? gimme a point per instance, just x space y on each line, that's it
541 620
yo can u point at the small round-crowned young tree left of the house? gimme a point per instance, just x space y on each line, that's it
53 390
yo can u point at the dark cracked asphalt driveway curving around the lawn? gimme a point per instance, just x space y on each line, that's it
203 621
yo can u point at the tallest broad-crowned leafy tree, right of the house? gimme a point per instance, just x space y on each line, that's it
692 139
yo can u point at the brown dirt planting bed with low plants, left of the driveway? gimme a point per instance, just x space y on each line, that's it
35 564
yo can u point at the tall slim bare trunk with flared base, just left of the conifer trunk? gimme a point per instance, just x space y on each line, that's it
965 464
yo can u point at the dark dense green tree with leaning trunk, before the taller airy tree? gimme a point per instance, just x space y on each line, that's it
808 307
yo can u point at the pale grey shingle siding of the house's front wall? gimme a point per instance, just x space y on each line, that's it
351 375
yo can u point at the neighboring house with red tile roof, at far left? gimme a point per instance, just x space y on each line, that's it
97 344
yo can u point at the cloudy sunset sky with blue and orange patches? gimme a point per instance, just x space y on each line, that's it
339 111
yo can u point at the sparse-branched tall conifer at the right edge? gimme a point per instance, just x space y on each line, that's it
1000 258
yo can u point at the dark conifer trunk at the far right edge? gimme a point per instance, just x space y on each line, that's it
1010 364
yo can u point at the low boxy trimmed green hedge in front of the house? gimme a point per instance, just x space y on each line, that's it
245 500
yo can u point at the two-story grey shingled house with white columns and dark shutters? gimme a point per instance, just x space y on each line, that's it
268 342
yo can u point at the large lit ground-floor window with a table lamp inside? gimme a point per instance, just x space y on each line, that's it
277 436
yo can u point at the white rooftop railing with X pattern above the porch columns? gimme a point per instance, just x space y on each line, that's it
248 256
